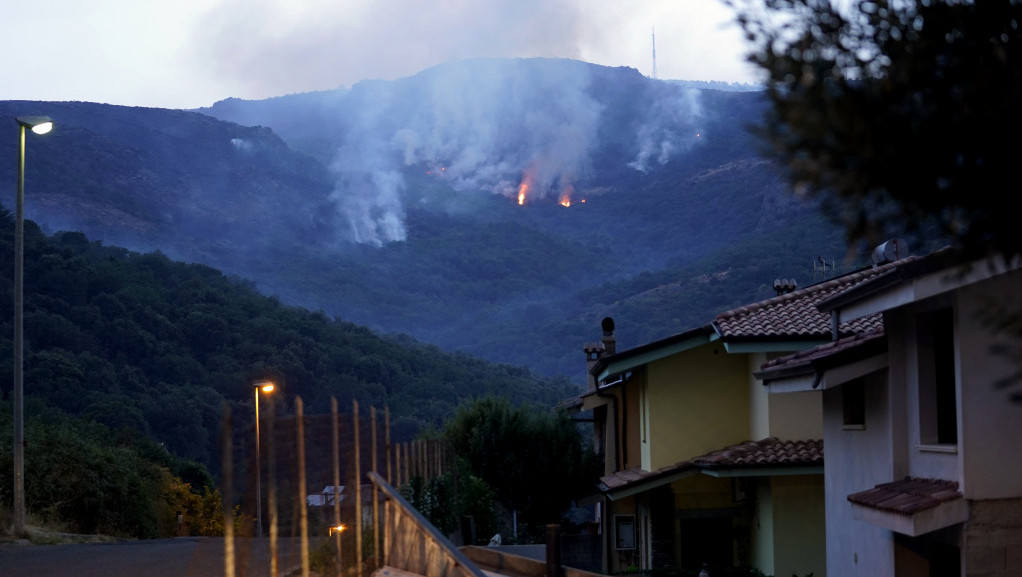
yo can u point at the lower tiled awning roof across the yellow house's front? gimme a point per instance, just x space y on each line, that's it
767 453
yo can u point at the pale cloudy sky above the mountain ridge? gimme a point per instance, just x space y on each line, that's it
193 54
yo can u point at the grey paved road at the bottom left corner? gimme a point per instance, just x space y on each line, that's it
181 557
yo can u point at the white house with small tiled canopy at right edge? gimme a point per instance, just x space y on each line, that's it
924 466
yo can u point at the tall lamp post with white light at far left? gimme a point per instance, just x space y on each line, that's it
38 125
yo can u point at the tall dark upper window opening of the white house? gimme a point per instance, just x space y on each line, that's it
938 400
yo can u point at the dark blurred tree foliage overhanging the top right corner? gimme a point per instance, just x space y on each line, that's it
903 117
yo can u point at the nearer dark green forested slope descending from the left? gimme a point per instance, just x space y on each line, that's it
148 346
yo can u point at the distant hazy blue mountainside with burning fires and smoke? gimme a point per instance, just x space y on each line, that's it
394 205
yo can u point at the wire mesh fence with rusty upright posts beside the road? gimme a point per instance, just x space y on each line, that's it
299 485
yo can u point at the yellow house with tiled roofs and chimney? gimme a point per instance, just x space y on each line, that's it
702 465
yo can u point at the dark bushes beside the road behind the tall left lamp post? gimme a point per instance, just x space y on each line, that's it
84 479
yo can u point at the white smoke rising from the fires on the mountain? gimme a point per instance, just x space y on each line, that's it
490 126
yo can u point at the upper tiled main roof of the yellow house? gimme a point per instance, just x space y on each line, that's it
795 315
